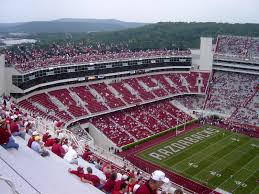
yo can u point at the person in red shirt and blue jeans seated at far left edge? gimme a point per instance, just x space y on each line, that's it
6 140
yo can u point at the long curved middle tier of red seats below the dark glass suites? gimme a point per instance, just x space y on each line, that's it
95 98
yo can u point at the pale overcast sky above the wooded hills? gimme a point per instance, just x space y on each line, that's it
150 11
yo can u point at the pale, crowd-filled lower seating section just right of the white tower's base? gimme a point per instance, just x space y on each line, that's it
228 91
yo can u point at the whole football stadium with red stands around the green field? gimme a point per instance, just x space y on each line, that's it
192 114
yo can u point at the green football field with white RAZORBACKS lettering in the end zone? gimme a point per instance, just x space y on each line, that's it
223 160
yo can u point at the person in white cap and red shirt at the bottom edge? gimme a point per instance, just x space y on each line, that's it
156 180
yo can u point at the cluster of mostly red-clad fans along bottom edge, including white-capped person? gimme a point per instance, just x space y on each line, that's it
125 181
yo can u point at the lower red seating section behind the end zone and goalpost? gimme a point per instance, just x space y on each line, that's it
139 122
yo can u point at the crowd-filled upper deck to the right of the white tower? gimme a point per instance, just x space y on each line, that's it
242 46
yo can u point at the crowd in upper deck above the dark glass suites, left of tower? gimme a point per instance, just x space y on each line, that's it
32 56
